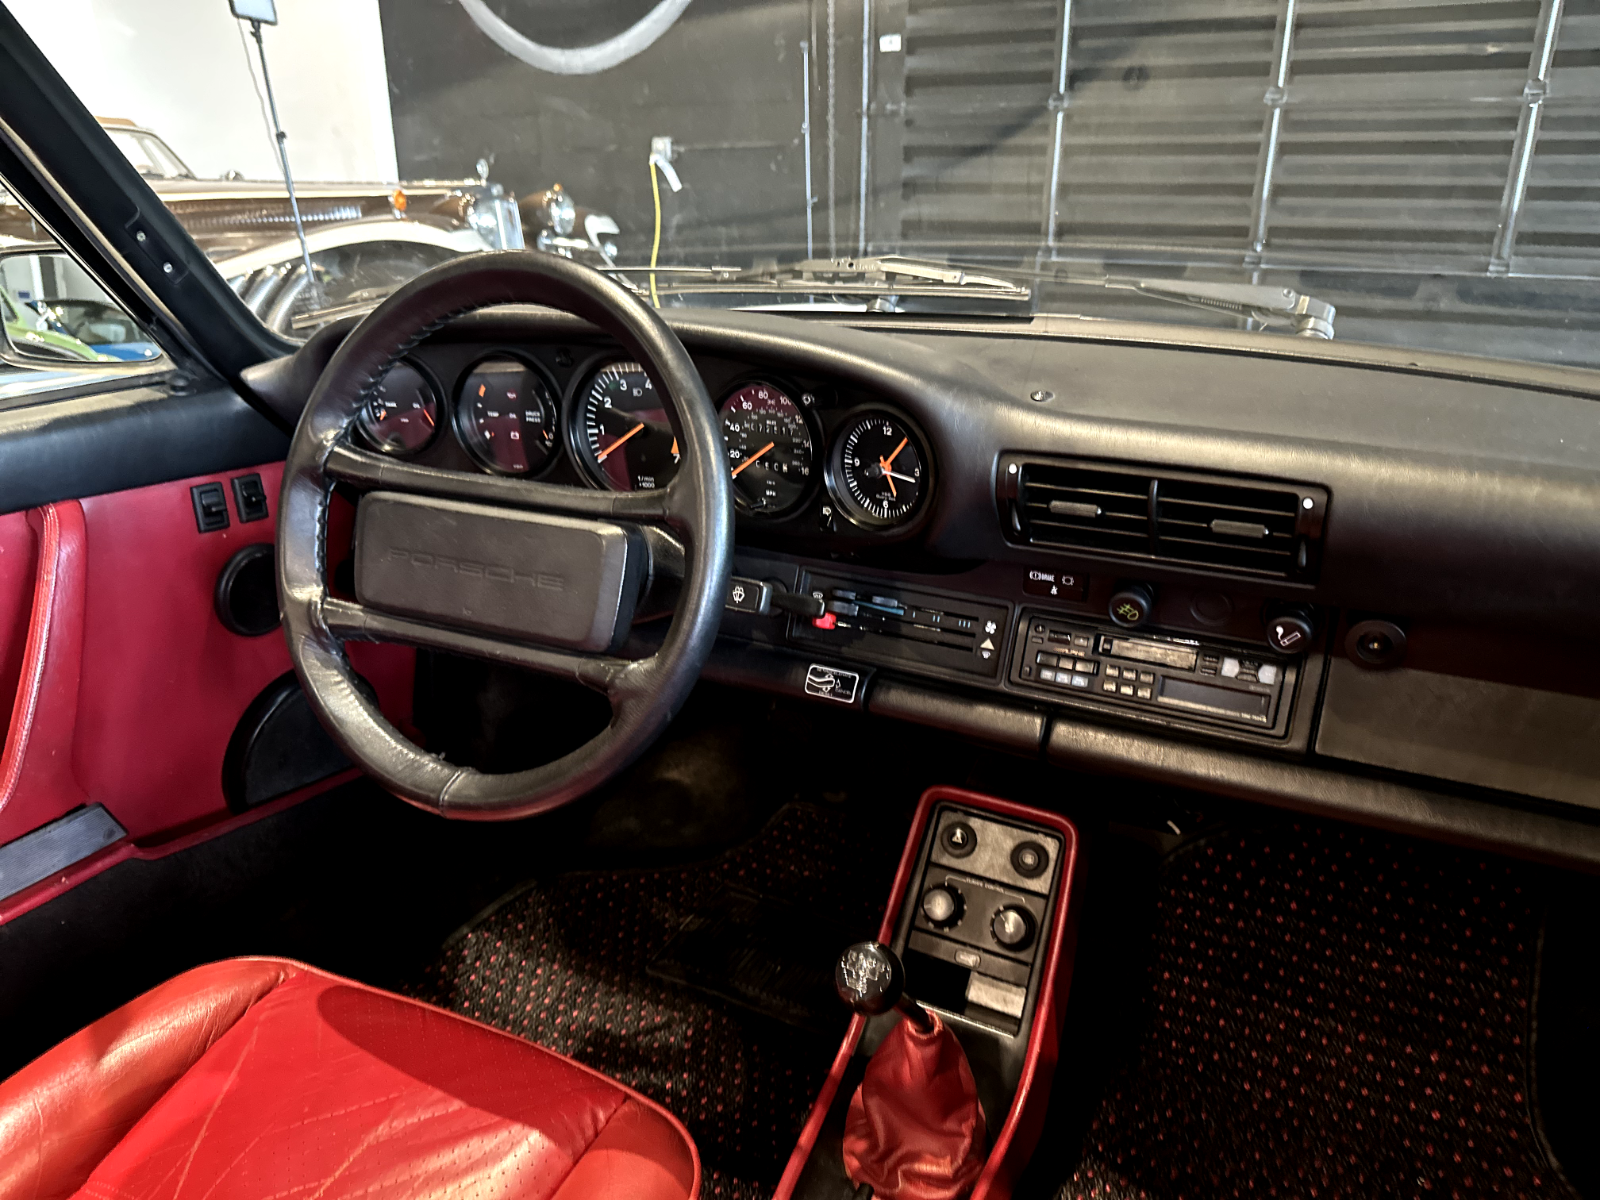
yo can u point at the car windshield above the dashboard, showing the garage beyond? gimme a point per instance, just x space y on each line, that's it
1404 172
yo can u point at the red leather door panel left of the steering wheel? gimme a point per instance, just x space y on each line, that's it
126 686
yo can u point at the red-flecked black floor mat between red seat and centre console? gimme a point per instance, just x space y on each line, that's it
566 964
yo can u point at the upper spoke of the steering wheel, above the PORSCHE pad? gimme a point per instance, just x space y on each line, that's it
378 473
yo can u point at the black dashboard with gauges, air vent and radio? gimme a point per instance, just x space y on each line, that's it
1327 577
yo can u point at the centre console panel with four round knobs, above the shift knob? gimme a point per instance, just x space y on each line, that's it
982 913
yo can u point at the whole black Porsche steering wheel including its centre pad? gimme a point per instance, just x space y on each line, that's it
534 575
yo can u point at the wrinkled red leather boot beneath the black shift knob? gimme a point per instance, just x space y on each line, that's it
916 1130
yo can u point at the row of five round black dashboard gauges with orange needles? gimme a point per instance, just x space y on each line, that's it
791 450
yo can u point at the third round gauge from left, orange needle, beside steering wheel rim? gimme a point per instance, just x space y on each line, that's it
623 433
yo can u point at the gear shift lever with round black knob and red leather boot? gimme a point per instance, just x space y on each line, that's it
914 1129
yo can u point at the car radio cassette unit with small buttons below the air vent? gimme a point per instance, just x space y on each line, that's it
1153 673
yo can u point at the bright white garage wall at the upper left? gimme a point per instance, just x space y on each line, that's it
182 68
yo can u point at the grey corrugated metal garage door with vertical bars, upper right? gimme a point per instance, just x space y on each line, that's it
1294 135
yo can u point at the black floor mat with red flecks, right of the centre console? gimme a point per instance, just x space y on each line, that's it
1335 1014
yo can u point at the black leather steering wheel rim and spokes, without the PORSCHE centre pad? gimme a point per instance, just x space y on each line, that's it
697 508
